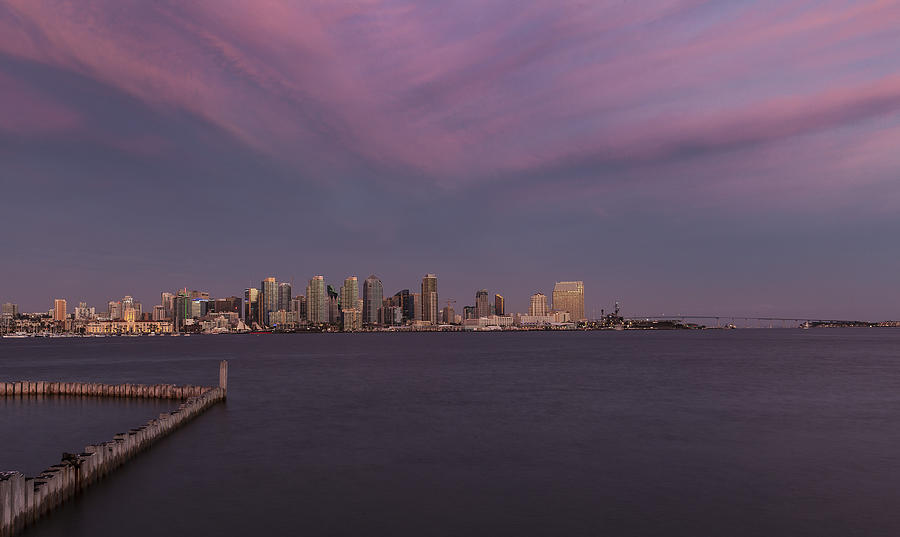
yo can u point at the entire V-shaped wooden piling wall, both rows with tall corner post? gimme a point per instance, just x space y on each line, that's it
24 500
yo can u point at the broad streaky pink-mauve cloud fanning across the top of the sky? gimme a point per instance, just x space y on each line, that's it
465 91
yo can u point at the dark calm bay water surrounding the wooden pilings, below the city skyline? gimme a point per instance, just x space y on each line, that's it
744 432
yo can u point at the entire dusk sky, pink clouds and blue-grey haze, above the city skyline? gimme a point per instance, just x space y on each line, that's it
680 156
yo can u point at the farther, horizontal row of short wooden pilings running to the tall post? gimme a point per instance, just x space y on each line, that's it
94 389
